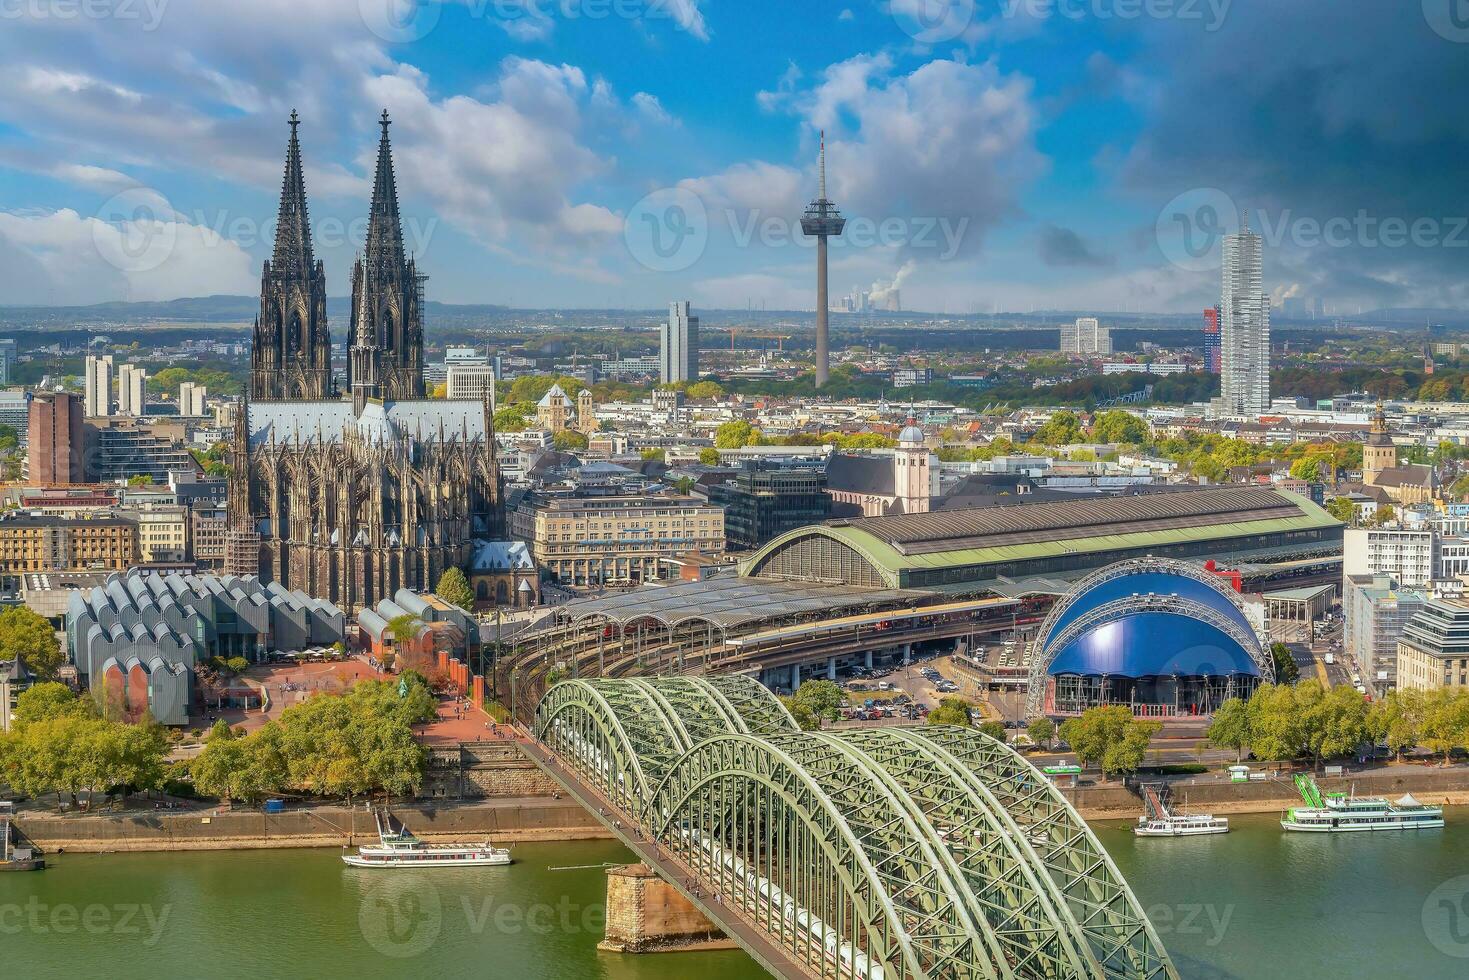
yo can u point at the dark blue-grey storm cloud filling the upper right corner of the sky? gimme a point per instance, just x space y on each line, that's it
1315 112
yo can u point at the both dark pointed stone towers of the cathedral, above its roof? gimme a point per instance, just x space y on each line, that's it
292 349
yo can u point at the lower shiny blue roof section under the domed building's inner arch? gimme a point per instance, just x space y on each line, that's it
1154 644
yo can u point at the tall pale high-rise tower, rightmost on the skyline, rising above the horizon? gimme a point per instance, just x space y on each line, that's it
1245 328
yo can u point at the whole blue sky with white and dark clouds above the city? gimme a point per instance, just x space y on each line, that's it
991 155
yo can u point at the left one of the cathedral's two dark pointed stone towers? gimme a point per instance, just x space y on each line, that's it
292 349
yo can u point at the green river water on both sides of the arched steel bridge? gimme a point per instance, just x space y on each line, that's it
1255 903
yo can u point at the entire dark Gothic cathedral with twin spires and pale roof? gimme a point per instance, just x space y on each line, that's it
352 496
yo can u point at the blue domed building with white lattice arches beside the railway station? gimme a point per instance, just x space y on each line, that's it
1166 638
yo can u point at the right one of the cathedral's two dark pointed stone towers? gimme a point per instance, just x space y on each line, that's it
386 336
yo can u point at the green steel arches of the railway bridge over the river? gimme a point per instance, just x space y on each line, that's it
882 854
